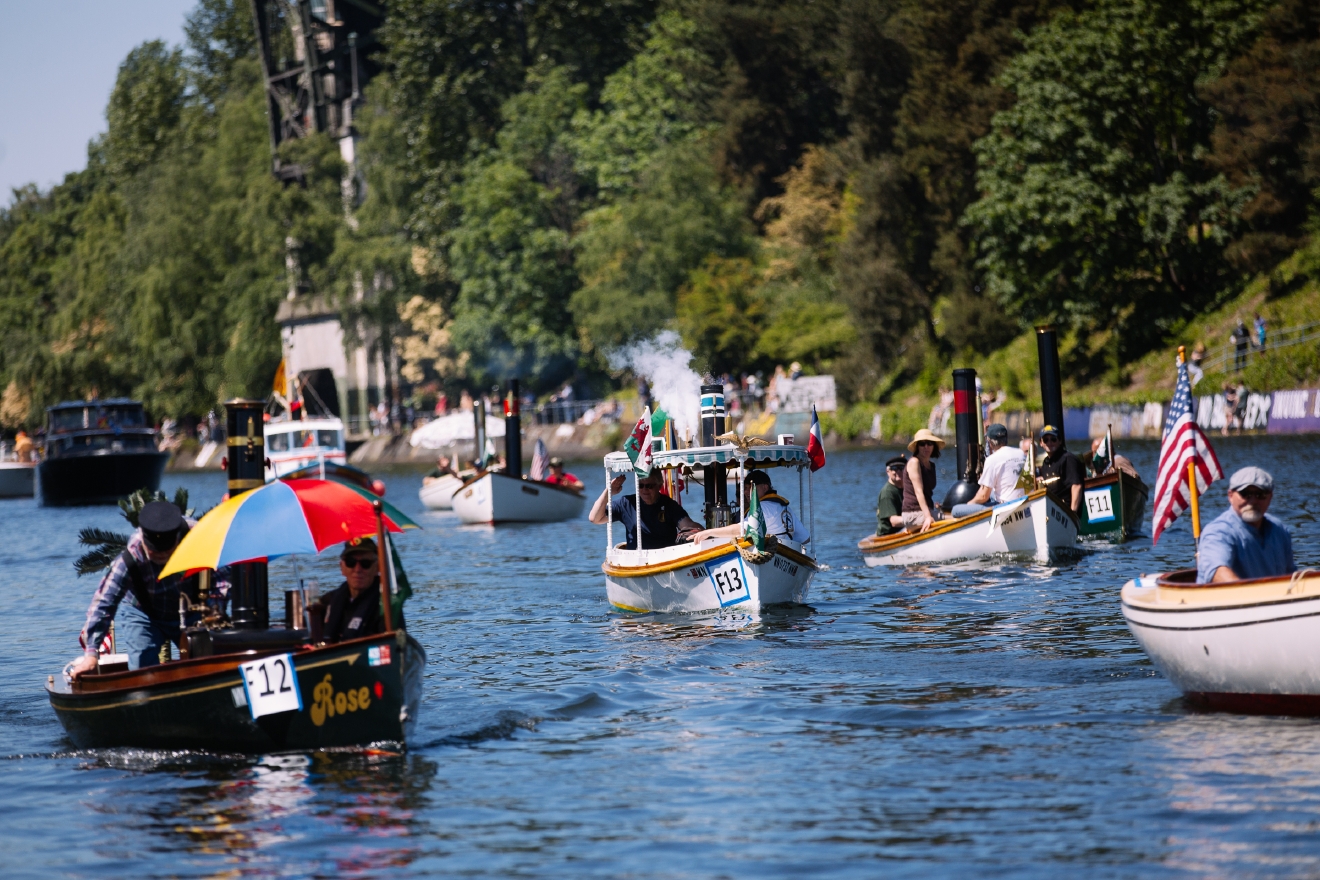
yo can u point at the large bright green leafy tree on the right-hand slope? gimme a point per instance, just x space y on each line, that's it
1098 208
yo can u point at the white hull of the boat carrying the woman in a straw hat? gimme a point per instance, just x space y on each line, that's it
1038 527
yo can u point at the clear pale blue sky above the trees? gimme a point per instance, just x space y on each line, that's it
56 73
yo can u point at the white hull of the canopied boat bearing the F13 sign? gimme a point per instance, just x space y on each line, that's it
688 580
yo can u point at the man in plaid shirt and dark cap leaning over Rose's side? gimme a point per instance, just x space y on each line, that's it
148 622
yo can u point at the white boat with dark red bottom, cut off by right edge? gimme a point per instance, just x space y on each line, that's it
1249 646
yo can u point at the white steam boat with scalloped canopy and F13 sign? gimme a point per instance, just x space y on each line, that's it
720 573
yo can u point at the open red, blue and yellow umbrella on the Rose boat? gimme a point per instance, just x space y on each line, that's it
279 519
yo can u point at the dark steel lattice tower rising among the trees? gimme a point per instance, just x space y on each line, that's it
316 59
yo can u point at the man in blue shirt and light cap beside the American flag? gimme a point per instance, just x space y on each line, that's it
1245 542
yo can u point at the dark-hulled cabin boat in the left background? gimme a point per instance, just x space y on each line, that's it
98 452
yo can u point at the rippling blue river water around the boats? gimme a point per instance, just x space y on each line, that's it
933 721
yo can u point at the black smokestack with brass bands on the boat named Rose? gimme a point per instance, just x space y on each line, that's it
250 601
